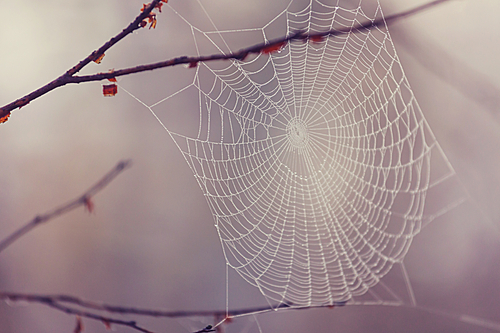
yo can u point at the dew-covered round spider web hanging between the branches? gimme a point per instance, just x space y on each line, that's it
315 161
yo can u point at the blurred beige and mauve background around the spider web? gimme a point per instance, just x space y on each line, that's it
151 241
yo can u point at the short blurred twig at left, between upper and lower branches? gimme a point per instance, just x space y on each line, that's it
83 200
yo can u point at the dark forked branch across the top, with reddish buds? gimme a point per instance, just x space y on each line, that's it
69 76
